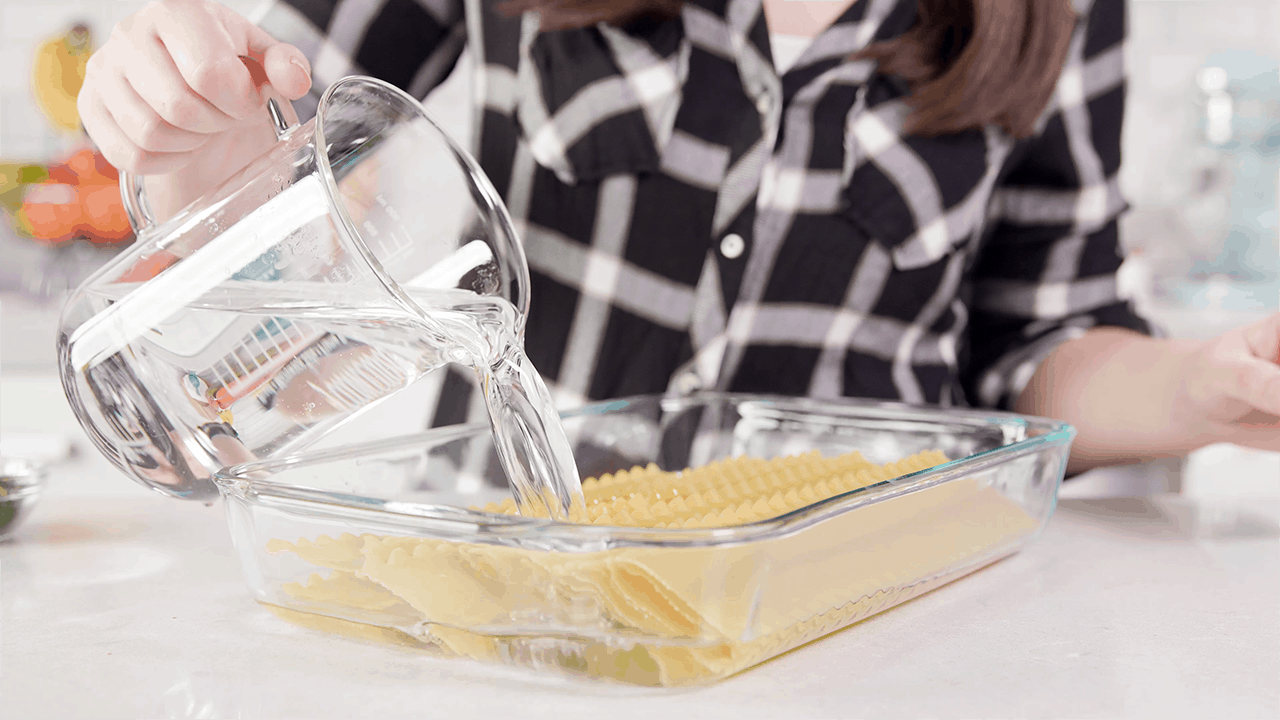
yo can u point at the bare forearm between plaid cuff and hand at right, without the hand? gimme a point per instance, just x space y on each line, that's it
1121 390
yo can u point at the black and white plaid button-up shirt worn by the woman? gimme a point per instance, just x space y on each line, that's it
693 220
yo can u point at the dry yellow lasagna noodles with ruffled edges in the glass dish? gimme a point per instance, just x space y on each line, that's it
696 613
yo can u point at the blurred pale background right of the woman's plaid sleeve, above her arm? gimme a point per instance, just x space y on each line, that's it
1203 161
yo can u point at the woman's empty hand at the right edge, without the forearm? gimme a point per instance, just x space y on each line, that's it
1231 386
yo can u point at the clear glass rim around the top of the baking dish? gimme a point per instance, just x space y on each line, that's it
447 522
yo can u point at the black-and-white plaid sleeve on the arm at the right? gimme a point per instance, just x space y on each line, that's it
1049 270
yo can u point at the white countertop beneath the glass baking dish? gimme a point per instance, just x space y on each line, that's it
116 603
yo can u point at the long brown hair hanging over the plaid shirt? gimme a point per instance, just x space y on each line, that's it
968 62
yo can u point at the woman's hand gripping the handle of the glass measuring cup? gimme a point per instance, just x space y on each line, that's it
171 94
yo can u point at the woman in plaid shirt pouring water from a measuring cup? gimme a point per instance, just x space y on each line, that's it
898 199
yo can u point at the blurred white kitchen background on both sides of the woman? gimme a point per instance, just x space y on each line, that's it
1201 170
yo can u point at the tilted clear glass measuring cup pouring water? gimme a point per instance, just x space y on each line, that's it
364 250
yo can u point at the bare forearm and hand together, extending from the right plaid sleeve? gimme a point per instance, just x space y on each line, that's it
1135 398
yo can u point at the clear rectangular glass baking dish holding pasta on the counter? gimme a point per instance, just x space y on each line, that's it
383 540
